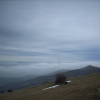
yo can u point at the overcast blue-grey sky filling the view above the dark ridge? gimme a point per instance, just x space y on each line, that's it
41 31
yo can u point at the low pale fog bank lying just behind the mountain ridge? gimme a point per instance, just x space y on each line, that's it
36 69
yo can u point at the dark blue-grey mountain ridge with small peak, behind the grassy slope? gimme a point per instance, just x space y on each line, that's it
49 77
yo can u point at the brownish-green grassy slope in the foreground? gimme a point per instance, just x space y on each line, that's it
81 88
